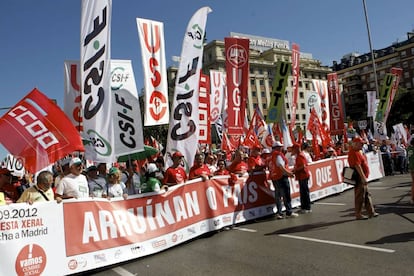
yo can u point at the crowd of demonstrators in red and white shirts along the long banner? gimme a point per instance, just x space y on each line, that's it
71 180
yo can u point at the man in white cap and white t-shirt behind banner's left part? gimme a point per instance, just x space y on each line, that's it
75 184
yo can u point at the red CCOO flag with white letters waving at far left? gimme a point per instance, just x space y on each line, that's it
38 131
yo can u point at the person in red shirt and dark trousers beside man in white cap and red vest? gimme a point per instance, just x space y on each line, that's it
302 175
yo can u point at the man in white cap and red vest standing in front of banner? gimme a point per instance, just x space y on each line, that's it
279 174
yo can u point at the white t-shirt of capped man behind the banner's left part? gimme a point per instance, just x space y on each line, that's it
73 186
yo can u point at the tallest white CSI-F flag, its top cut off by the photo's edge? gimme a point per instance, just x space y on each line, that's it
98 130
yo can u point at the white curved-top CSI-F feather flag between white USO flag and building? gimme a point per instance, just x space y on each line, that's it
183 130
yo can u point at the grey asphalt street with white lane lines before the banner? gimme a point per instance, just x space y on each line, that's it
328 241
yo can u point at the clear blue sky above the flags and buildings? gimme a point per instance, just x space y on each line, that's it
36 37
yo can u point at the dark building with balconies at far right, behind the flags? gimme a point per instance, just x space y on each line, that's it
356 73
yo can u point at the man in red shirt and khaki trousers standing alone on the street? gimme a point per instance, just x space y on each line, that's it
358 162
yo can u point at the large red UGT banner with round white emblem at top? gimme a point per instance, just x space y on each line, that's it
237 70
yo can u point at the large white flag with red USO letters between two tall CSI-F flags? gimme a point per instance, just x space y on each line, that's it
151 37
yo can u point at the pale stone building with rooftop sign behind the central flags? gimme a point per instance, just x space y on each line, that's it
264 55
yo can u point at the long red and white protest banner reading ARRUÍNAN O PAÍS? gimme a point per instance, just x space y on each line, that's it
80 235
